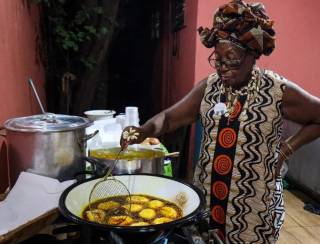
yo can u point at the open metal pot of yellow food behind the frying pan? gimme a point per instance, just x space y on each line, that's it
135 161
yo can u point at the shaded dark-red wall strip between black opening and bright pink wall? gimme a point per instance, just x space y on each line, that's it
180 69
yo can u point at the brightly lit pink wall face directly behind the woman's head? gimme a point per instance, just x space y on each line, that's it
297 48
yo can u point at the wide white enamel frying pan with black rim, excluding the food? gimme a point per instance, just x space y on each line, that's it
189 198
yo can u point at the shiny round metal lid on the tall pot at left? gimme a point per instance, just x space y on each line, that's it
47 122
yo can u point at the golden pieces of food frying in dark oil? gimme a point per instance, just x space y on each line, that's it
138 210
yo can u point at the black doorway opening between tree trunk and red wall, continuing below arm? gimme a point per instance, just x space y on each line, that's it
139 68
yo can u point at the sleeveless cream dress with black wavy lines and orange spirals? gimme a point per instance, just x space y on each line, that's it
236 168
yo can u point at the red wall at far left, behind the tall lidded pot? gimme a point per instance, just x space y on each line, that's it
18 61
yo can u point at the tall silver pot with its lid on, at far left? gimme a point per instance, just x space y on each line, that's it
47 144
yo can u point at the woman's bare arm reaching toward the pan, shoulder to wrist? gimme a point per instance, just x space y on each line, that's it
180 114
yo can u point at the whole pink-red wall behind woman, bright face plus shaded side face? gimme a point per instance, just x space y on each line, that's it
295 57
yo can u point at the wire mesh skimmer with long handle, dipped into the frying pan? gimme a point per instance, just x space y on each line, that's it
109 186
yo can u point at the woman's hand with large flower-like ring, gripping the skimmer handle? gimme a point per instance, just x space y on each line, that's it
131 135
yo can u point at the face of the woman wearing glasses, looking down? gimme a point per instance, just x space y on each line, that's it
233 64
